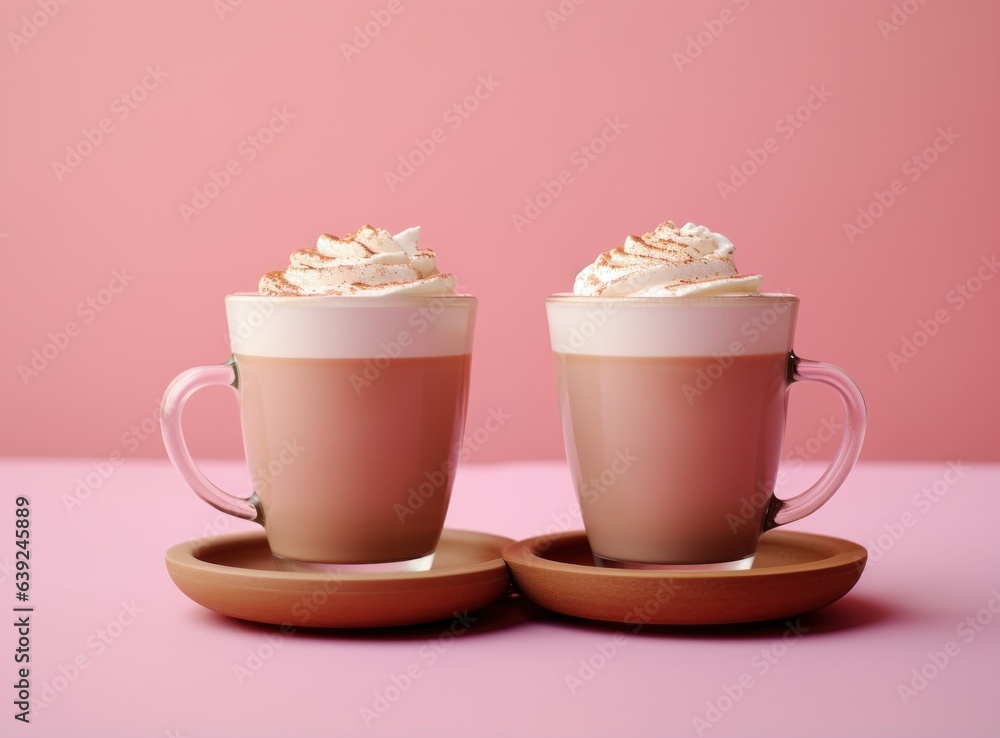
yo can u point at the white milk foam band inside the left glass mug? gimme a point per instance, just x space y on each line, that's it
383 327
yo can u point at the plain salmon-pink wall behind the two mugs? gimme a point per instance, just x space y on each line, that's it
220 76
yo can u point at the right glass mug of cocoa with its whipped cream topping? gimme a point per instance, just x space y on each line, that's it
673 374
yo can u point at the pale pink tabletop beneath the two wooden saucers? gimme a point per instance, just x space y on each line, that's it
117 650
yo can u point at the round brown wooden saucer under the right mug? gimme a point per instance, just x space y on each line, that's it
793 573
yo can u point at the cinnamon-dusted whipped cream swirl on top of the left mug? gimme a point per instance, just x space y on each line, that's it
369 262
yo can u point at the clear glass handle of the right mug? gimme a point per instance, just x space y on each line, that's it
779 511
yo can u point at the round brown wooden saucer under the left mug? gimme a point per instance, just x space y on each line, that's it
235 575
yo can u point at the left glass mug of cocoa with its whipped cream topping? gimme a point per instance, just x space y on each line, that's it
352 371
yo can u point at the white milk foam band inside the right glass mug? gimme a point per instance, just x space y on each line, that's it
672 326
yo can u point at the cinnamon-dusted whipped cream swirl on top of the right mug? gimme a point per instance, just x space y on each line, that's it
690 260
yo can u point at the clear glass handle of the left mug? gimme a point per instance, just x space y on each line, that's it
185 385
